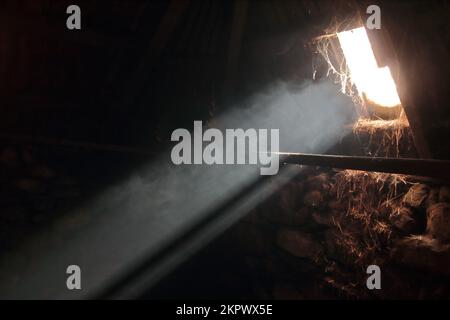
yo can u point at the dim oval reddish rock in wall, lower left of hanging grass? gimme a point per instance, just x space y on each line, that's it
298 243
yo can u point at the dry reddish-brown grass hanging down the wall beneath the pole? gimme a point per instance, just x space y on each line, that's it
369 198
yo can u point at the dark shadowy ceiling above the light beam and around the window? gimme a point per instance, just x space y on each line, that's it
138 69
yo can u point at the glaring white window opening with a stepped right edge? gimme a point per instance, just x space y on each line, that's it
376 83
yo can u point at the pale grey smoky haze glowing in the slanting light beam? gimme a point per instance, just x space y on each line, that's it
132 220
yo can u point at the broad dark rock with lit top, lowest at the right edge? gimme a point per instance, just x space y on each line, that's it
423 253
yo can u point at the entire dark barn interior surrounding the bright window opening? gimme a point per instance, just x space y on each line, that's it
85 137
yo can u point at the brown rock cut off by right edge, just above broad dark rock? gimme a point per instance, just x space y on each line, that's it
438 221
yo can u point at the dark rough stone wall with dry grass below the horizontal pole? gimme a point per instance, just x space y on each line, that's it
316 237
